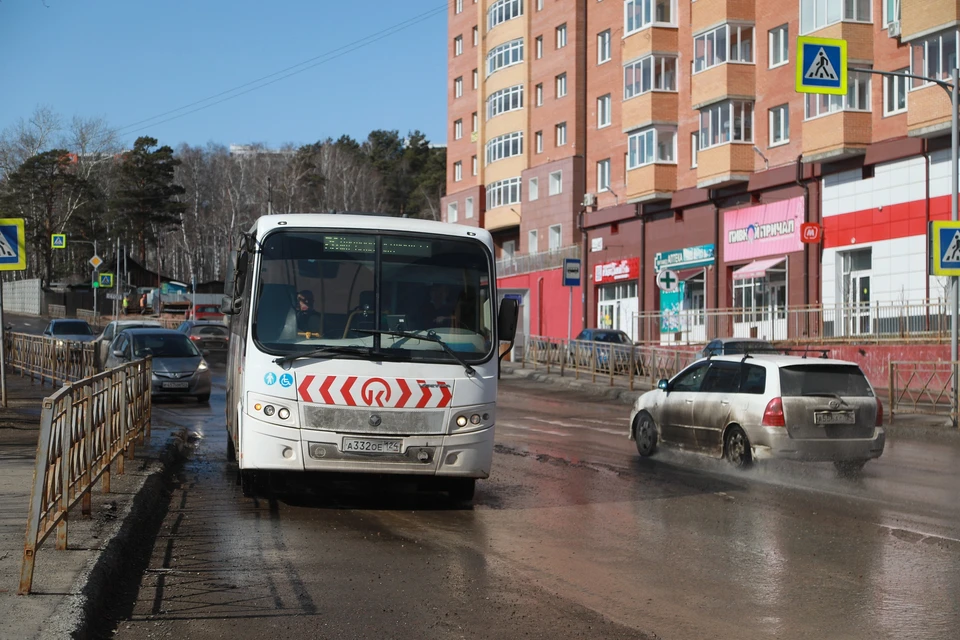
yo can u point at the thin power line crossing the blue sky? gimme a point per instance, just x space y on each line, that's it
323 58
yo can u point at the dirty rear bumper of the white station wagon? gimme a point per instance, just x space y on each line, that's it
774 442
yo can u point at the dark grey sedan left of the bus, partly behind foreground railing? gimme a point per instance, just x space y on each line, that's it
178 366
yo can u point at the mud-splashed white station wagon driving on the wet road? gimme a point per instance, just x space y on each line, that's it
751 407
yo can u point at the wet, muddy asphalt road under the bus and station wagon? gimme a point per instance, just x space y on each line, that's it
572 536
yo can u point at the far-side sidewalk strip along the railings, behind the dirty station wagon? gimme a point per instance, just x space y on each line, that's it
904 425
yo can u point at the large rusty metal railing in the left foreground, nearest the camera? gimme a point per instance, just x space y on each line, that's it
84 428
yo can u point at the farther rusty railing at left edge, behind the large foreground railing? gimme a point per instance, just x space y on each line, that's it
50 359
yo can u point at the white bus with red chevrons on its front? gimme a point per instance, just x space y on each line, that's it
364 344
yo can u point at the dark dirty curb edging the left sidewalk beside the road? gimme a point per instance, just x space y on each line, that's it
107 577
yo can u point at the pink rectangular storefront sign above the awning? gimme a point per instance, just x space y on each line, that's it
764 230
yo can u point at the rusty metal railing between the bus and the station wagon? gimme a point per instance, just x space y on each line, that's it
606 360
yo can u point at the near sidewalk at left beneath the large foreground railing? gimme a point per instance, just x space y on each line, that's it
69 585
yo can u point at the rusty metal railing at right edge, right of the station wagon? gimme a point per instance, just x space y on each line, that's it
923 387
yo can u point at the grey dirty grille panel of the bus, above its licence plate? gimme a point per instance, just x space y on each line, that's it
358 420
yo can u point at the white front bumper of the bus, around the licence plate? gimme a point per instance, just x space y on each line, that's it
274 448
